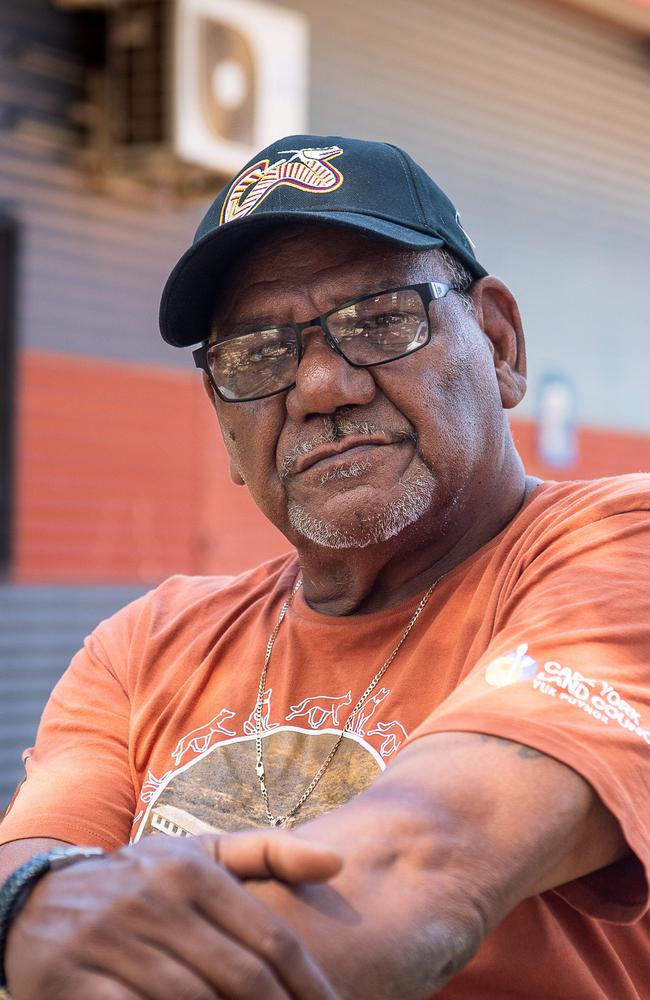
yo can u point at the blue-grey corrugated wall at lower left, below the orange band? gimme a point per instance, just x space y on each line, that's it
41 627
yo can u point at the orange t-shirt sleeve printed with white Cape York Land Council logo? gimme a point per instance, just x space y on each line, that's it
567 671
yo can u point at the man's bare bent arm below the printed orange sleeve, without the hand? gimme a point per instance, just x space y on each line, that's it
428 861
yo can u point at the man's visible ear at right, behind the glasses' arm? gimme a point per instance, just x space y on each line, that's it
498 315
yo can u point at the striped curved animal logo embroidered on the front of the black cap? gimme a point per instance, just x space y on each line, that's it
305 169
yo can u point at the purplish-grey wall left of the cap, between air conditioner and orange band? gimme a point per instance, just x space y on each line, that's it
93 267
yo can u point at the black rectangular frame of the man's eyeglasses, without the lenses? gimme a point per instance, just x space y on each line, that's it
428 291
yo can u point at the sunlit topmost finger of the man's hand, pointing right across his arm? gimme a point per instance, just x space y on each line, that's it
276 854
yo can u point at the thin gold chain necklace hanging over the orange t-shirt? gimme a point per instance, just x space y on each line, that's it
259 766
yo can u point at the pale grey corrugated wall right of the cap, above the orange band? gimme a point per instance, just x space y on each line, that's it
535 119
